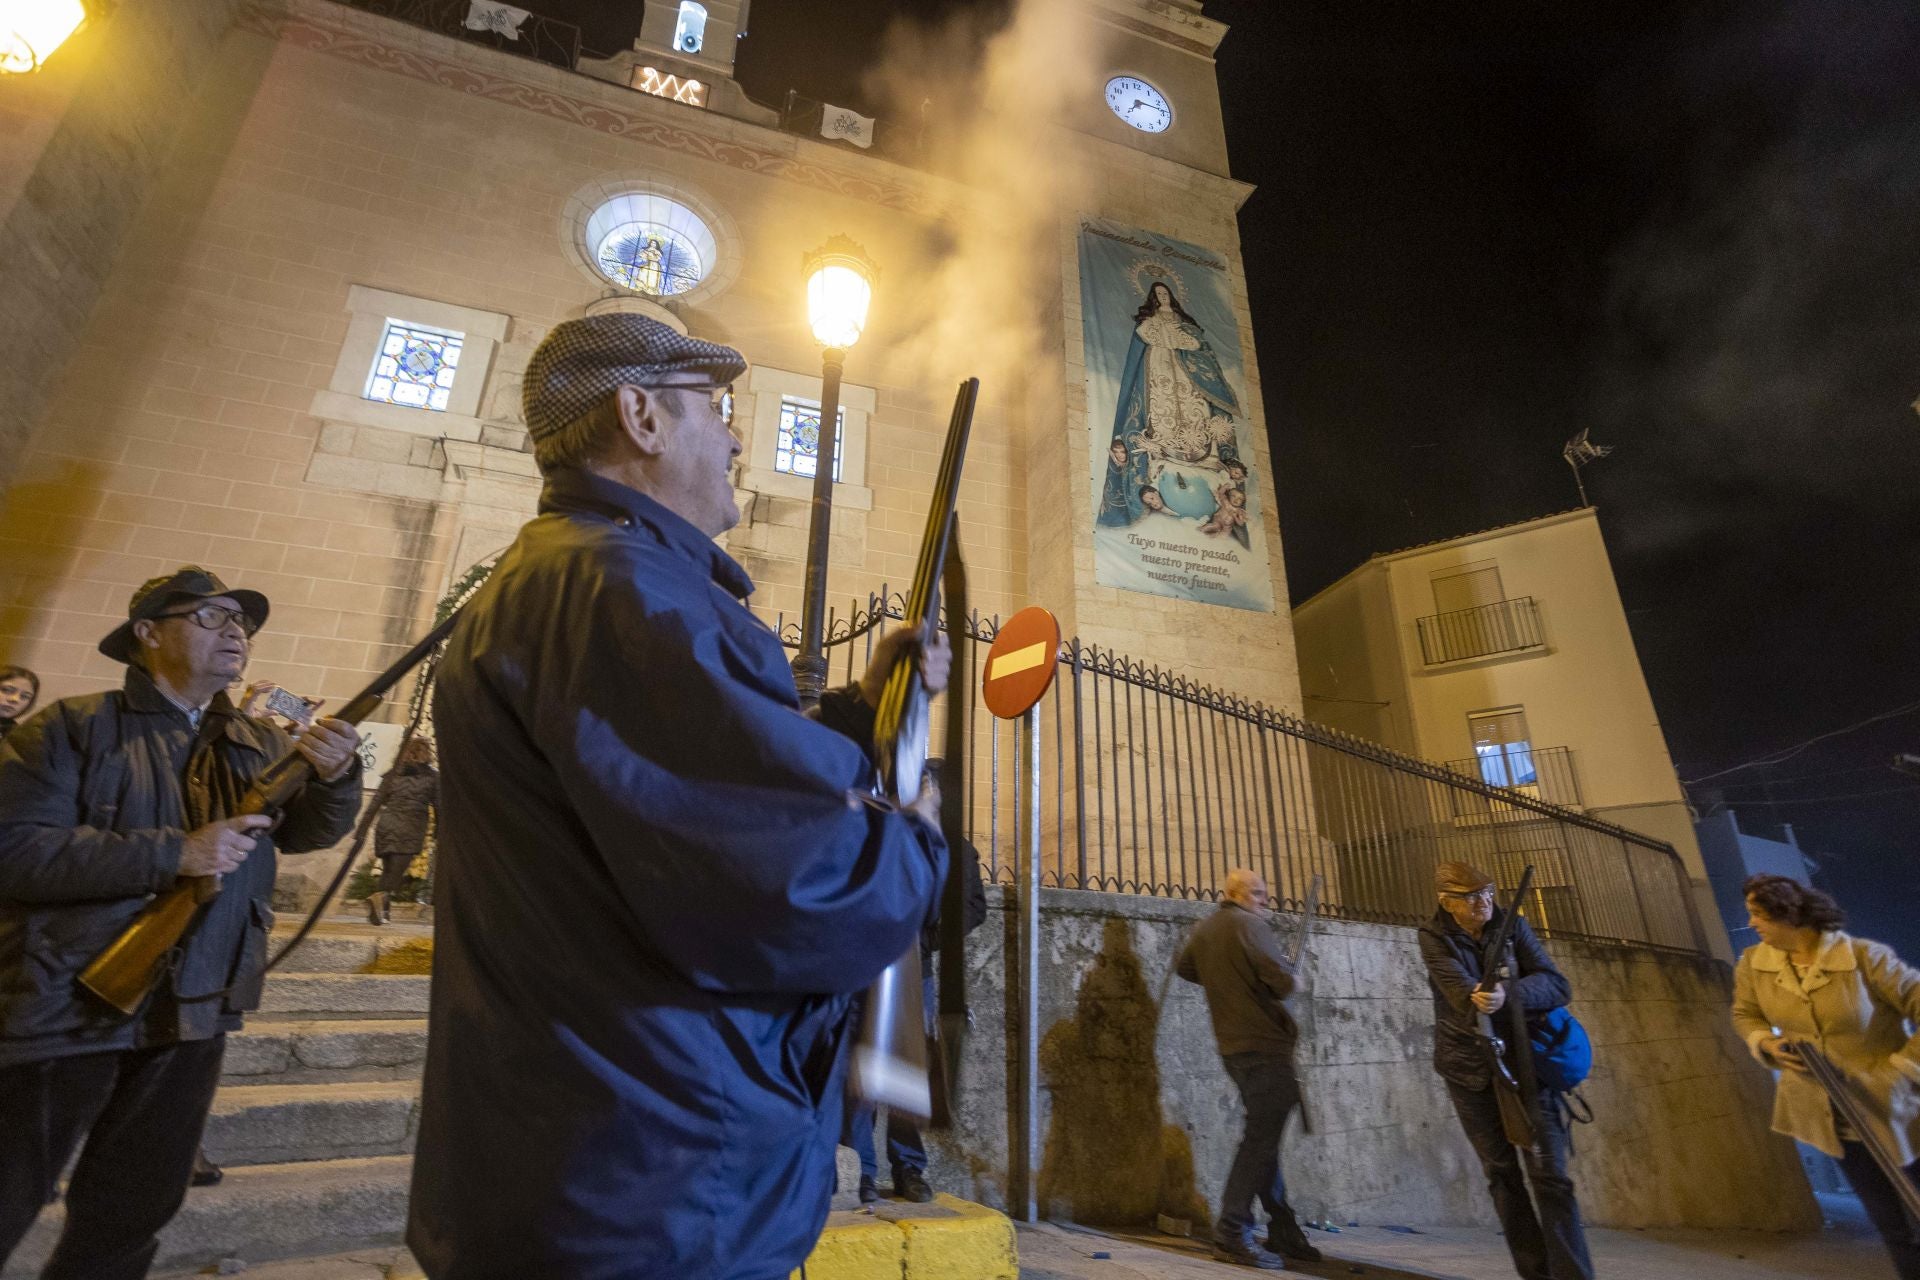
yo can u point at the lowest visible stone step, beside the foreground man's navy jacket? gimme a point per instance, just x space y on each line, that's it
266 1212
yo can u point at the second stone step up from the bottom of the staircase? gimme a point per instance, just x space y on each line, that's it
285 1124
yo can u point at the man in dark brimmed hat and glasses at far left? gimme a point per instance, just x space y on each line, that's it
107 801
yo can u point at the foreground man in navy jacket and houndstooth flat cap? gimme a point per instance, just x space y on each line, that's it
660 886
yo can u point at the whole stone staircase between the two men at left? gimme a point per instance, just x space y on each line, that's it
316 1116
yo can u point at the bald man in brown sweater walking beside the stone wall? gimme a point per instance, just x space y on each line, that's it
1236 959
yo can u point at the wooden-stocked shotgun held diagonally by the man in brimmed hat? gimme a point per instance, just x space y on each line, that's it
132 966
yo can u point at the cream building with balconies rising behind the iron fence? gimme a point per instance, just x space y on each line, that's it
1504 655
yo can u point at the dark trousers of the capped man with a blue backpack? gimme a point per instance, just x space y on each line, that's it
1545 1231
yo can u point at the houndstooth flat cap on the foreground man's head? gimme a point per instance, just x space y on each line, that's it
585 360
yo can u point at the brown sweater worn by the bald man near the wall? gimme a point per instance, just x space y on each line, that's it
1236 957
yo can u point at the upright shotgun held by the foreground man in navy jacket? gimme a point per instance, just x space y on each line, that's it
890 1058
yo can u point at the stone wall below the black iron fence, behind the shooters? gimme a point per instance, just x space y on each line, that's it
1140 1118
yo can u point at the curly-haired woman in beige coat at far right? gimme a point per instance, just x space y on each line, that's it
1854 1001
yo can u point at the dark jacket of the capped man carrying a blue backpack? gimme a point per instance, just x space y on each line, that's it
1454 968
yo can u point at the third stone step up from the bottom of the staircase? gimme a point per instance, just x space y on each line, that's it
327 1051
